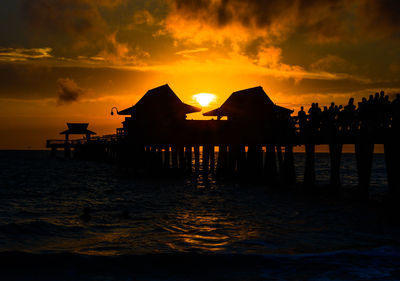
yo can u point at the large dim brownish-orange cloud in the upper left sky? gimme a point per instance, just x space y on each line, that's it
87 31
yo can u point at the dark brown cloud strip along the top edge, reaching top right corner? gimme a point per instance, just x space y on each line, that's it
330 20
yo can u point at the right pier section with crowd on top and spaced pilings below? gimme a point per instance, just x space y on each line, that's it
374 121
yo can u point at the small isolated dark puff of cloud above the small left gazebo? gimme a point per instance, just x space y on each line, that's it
68 91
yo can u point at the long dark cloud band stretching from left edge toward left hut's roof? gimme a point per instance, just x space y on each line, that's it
31 81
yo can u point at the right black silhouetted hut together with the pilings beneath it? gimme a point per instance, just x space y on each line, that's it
256 122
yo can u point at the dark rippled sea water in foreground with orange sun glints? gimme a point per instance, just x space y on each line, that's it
187 228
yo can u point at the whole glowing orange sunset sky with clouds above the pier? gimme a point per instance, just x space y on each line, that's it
73 60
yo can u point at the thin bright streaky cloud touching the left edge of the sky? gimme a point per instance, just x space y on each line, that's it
22 54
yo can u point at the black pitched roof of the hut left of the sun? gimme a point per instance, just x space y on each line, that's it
160 99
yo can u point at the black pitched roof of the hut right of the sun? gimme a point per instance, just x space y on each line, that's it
250 104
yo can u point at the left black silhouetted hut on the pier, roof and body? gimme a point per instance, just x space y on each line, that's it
159 114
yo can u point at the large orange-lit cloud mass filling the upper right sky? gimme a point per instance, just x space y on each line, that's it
274 33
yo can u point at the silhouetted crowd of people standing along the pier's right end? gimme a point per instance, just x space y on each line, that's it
372 115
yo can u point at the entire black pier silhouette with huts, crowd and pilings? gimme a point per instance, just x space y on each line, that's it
253 136
